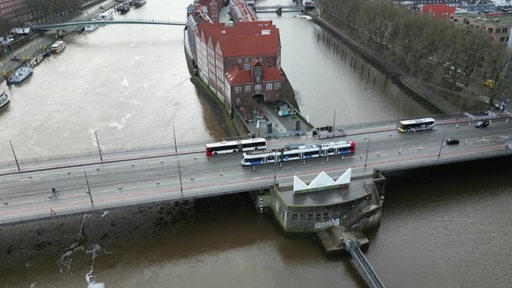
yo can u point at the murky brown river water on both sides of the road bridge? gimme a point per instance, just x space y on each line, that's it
129 84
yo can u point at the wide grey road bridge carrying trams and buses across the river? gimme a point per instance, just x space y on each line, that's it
102 180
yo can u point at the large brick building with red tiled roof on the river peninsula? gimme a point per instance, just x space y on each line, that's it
240 61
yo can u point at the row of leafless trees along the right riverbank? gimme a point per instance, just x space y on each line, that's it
436 51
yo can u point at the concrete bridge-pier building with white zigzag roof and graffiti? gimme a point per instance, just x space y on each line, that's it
355 204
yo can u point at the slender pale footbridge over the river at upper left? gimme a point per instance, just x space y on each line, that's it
80 24
